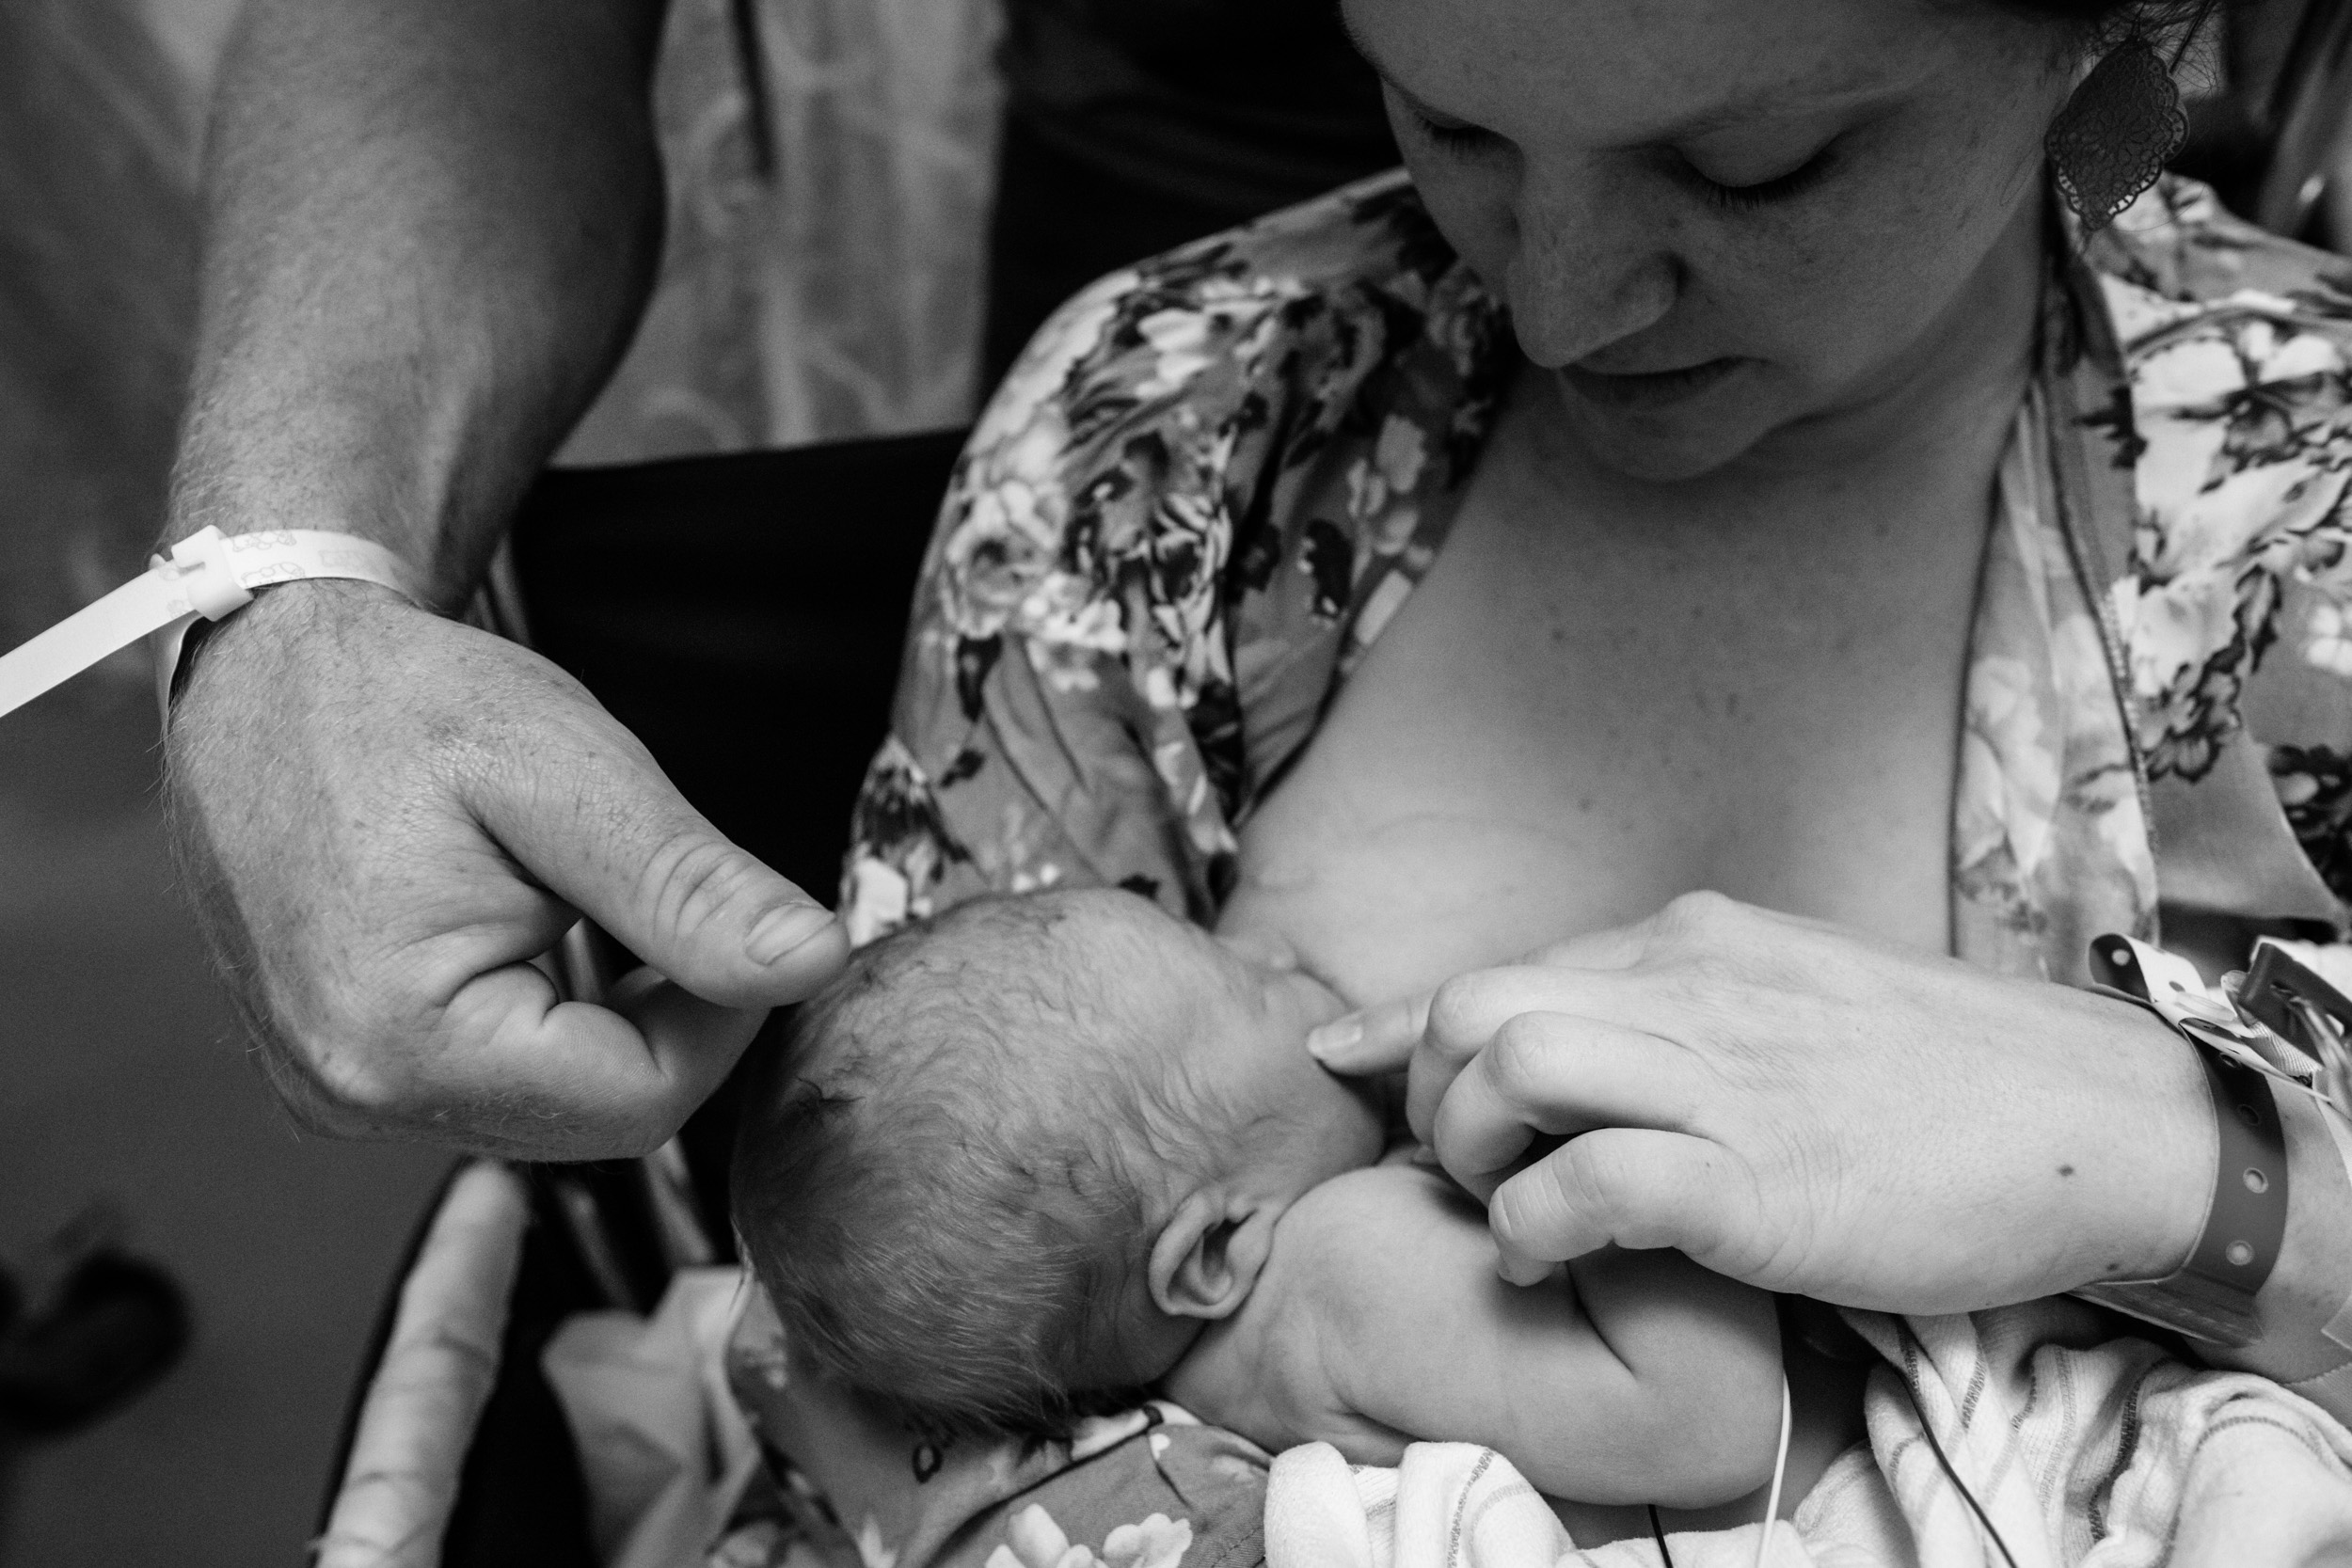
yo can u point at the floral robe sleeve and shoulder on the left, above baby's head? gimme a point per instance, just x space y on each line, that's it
1191 507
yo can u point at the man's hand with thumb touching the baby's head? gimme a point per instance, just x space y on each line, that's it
385 817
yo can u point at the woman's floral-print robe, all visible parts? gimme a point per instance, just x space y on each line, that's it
1212 481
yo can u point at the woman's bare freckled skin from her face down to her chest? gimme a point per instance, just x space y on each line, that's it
1713 643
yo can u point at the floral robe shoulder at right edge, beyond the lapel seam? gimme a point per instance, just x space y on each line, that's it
2238 589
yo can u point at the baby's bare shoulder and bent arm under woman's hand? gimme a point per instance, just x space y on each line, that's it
1631 1379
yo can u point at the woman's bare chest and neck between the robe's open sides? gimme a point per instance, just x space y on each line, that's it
1563 730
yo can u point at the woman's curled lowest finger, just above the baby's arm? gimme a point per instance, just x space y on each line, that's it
1622 1188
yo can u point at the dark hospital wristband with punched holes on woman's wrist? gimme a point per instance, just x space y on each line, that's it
2214 1294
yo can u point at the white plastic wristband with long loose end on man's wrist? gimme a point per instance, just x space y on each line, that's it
206 577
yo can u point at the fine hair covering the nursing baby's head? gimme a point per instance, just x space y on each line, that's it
930 1172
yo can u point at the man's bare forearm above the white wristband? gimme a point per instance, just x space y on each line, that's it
429 234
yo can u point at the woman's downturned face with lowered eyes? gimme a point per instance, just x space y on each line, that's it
1728 222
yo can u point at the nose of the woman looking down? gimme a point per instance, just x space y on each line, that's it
1586 272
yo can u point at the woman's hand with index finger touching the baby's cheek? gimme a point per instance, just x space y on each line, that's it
1808 1111
